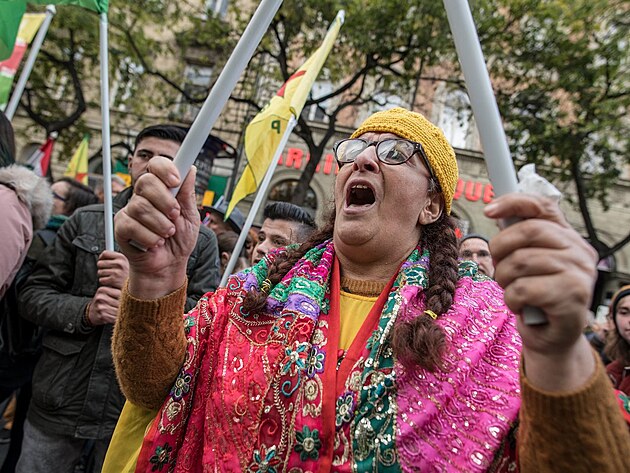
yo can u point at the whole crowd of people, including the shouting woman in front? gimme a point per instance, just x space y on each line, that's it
375 341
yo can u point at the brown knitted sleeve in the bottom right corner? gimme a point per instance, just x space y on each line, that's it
581 431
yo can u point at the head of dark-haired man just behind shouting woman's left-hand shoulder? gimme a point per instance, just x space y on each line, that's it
284 225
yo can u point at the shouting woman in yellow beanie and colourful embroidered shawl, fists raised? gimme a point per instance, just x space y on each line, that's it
368 348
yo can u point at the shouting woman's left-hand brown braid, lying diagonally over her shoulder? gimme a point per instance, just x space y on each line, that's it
255 299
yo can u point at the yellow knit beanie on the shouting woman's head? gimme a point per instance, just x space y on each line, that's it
415 127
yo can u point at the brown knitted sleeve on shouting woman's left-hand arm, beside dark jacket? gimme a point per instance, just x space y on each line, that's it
149 346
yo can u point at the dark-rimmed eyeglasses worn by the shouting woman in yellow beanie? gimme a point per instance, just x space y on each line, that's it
392 151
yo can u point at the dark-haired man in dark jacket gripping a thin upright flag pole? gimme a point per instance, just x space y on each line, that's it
75 294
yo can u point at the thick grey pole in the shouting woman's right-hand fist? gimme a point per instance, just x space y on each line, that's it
486 111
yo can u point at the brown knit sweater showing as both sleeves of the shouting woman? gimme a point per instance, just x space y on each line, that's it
581 431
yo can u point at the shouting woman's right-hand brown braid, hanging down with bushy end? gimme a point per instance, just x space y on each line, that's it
420 341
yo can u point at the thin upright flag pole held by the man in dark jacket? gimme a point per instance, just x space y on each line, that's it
107 152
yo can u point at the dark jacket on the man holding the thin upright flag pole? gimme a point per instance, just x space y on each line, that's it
75 391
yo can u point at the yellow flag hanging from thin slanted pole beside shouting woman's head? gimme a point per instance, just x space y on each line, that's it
265 131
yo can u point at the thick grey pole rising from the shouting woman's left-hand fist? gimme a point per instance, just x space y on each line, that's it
224 86
